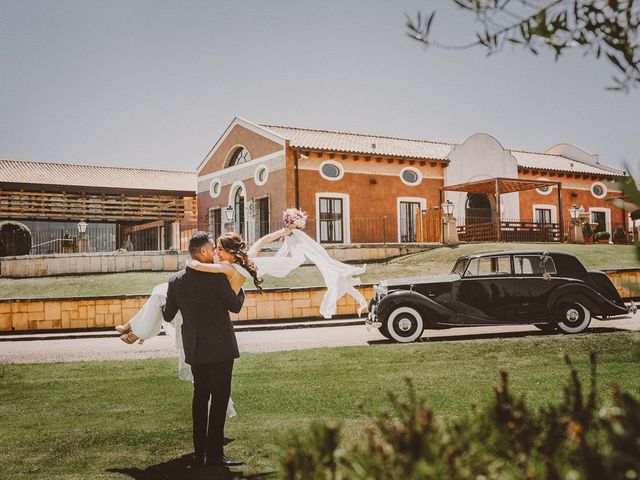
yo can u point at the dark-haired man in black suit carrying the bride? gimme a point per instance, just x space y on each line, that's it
210 346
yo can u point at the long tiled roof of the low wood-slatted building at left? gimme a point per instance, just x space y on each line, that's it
96 177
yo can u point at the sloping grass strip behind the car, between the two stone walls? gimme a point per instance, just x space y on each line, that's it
436 261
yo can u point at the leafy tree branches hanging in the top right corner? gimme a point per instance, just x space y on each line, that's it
597 27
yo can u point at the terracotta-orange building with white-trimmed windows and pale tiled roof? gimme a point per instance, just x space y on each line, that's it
360 188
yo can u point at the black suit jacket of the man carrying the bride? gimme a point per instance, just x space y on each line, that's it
204 299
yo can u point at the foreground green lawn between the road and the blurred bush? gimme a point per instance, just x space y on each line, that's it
92 419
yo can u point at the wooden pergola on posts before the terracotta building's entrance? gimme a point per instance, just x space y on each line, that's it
500 186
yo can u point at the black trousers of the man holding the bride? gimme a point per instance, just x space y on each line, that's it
211 381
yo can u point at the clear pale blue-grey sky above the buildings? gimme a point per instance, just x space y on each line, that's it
153 84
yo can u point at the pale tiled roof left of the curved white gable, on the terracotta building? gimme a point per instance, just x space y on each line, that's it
349 142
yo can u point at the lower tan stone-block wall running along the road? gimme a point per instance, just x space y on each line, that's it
80 313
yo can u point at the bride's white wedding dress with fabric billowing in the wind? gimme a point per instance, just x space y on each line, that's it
339 279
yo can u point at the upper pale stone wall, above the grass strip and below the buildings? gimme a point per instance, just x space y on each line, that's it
111 262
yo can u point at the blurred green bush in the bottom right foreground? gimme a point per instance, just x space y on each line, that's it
506 439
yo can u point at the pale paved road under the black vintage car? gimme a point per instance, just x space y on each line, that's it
109 347
